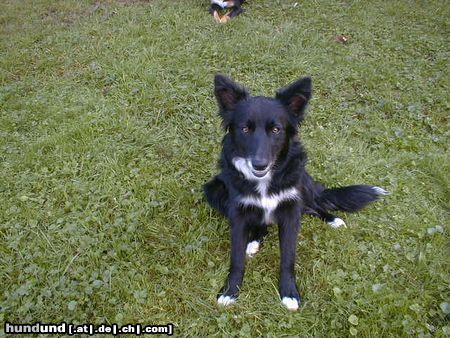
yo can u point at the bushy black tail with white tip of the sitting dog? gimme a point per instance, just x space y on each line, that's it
351 198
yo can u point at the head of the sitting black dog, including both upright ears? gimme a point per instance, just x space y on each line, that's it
260 127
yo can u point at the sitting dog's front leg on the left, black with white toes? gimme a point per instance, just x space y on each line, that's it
239 238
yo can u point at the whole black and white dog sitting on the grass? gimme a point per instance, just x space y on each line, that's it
263 180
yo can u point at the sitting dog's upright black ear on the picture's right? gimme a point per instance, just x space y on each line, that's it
295 97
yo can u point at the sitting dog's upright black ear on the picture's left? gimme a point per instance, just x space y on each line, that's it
228 94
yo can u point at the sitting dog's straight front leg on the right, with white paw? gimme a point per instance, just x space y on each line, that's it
288 229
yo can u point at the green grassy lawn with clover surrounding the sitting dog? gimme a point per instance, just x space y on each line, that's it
108 129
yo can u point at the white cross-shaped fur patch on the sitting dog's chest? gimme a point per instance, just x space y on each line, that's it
269 202
